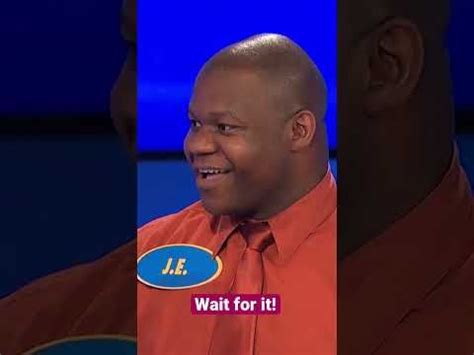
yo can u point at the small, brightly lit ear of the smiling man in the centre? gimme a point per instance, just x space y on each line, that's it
303 127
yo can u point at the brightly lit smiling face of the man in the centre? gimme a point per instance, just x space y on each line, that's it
236 143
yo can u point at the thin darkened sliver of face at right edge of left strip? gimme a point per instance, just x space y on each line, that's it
124 94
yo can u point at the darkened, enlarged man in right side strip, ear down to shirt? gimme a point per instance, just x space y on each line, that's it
406 225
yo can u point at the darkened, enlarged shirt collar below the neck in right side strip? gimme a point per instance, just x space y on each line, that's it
385 279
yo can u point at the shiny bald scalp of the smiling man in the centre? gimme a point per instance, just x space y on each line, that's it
293 79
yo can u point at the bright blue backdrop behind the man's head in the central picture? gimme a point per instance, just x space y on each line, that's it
173 48
